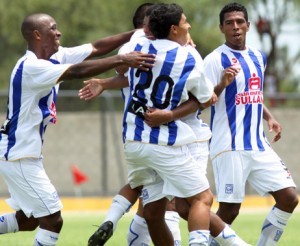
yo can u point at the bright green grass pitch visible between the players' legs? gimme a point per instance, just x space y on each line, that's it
78 226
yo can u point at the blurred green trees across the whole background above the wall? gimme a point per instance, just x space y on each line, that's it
85 21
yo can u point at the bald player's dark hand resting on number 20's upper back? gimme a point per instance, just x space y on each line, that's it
138 60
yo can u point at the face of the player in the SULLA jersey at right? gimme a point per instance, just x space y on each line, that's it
235 28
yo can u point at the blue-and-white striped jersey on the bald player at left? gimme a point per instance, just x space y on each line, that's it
31 101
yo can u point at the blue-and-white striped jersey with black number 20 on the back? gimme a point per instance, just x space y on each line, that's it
176 73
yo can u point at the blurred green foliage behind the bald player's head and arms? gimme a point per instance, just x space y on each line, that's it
79 21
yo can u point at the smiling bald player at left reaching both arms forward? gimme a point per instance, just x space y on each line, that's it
31 106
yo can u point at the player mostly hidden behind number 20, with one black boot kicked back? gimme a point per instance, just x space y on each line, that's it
127 196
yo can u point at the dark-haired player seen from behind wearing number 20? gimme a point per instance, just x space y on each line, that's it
158 158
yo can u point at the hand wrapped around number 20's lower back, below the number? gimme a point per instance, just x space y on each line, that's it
156 117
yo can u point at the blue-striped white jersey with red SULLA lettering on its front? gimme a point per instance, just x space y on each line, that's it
236 119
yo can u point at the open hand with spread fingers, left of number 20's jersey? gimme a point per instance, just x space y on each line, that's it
92 89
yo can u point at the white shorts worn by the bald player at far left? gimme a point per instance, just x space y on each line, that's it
30 188
